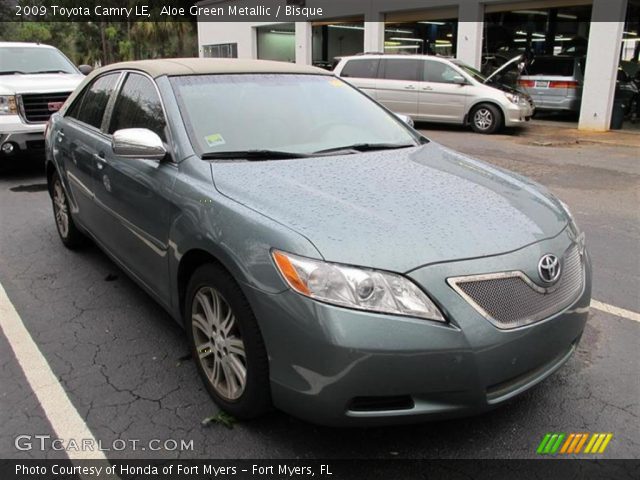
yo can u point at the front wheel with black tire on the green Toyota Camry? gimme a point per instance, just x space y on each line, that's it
224 341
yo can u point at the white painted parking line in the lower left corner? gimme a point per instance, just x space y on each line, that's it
60 412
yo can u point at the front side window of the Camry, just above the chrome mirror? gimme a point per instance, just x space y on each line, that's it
138 106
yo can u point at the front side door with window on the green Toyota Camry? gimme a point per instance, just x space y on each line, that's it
134 196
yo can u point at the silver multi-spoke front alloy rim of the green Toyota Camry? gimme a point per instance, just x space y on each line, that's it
219 344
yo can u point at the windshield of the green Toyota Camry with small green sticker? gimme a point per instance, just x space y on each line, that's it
294 113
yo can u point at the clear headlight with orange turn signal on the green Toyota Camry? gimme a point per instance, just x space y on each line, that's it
352 287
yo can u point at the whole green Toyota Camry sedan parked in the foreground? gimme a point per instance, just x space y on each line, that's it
323 256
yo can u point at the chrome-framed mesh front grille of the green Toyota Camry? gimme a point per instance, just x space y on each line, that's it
511 299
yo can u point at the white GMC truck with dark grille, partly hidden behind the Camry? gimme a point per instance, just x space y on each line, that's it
35 80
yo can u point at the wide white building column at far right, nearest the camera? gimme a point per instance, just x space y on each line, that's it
603 55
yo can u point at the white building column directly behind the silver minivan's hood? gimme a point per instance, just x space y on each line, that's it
470 27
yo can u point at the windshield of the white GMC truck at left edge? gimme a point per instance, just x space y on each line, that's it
33 60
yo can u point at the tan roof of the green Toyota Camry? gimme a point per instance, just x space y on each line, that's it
201 66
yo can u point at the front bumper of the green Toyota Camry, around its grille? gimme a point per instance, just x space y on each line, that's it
335 366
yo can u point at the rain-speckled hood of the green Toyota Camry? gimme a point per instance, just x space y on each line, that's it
398 209
